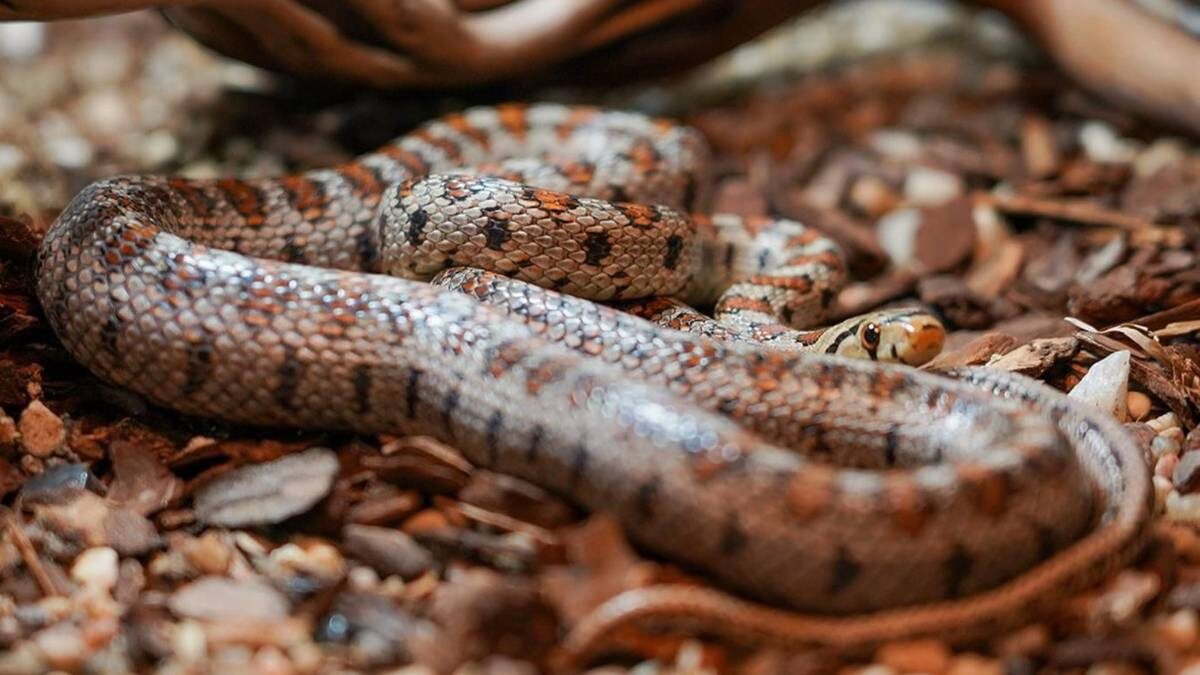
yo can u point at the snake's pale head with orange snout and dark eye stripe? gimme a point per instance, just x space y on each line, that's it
907 336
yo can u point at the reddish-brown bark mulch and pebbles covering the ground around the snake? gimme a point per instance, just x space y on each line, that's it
998 196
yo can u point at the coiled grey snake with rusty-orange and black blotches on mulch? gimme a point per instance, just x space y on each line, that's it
490 279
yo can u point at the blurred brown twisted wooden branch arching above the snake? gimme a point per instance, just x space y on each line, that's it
1114 47
